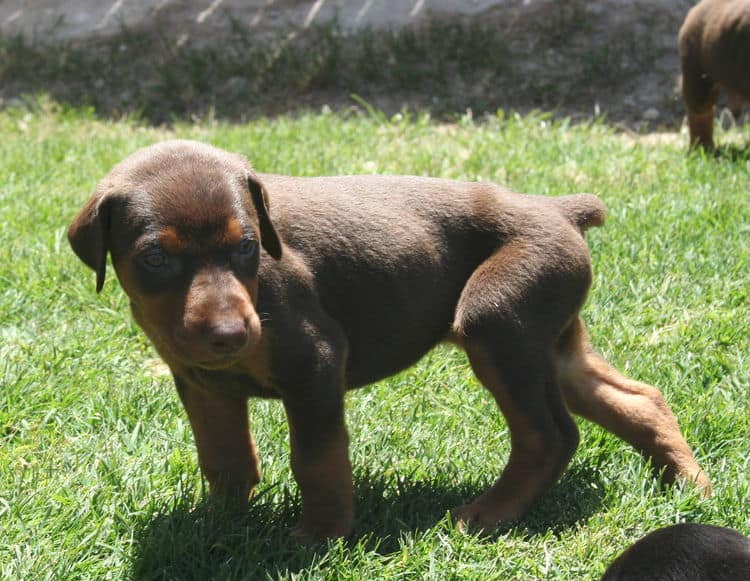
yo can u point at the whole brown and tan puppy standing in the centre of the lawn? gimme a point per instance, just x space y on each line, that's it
358 277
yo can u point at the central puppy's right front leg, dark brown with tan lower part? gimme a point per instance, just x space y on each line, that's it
320 463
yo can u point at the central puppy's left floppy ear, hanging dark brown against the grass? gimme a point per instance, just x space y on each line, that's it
87 235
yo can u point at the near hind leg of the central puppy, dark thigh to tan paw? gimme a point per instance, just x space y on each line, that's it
509 317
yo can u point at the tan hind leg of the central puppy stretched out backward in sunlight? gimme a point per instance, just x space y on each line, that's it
634 411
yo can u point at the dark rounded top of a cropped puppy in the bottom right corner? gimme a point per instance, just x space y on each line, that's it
685 552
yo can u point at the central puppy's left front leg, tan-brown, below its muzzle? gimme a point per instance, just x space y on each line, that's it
226 450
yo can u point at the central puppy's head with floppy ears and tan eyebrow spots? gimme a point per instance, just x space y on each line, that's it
184 223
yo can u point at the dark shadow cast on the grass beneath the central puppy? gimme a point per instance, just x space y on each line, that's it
187 542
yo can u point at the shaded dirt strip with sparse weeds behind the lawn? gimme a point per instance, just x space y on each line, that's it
233 59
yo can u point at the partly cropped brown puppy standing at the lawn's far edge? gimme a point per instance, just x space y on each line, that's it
715 53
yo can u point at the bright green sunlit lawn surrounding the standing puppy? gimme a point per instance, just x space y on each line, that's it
98 474
